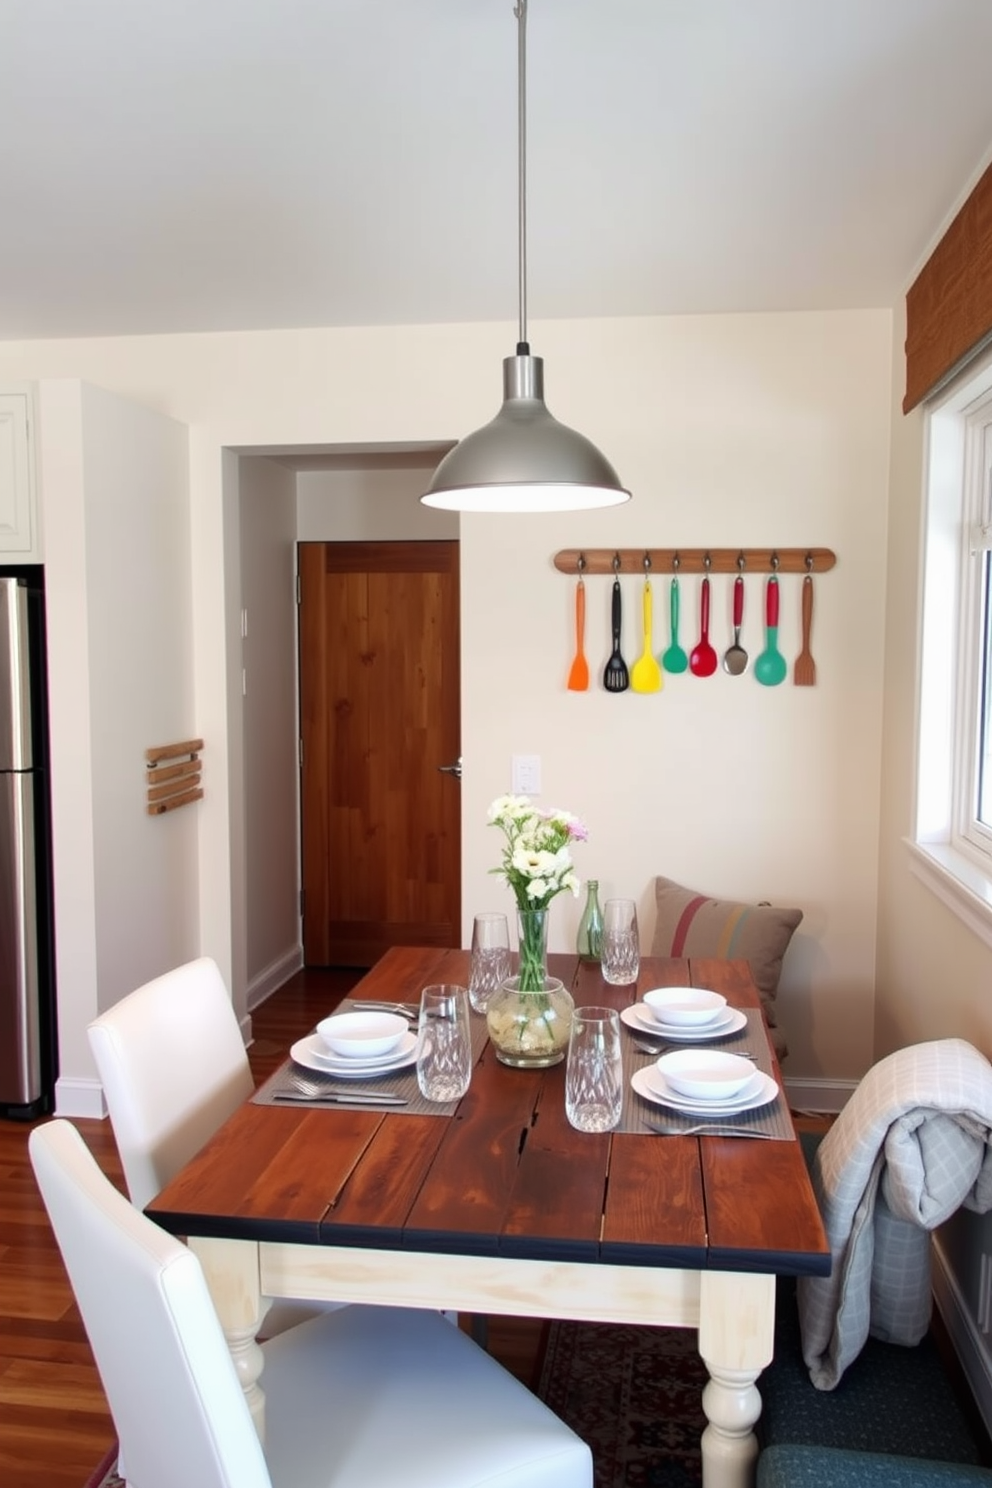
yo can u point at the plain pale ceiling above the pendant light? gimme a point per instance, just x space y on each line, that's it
246 164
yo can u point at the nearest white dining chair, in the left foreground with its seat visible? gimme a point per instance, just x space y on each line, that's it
361 1398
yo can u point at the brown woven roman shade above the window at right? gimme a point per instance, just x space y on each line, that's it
950 306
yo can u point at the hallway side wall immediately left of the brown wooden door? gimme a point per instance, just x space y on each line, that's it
271 731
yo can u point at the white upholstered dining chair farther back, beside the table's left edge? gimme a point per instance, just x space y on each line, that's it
173 1068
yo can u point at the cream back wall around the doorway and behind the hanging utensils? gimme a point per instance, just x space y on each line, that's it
734 431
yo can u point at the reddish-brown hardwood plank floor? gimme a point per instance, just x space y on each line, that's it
54 1420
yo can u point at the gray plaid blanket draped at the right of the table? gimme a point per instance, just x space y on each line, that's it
909 1148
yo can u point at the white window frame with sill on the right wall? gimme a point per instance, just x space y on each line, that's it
951 850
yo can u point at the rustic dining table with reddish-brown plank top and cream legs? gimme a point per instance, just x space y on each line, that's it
505 1209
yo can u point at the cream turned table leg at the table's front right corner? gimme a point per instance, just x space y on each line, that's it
737 1321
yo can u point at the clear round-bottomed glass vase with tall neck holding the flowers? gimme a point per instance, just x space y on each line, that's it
530 1016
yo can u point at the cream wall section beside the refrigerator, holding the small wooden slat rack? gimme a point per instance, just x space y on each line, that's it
115 484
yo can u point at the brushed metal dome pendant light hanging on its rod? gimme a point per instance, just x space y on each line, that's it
524 461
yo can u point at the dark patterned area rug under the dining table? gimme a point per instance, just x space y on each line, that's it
634 1396
